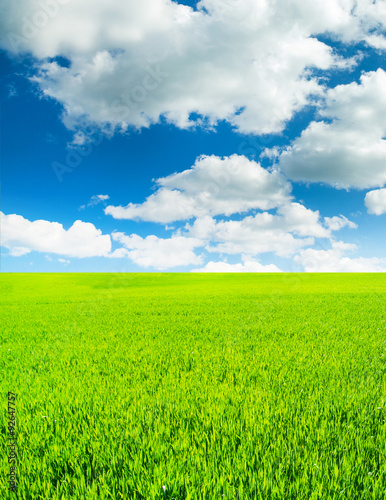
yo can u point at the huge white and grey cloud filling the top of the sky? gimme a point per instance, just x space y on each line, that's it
132 63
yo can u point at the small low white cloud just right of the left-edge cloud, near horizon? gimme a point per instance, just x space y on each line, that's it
159 253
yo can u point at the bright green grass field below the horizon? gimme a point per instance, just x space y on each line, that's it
195 386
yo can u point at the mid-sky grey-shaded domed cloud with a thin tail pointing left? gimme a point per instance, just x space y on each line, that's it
212 186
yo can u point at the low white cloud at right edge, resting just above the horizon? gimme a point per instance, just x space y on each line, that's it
334 260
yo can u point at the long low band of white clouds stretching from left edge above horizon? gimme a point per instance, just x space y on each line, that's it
293 228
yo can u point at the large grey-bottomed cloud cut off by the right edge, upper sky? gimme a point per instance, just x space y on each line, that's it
348 148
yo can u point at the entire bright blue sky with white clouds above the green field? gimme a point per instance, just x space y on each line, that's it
235 136
